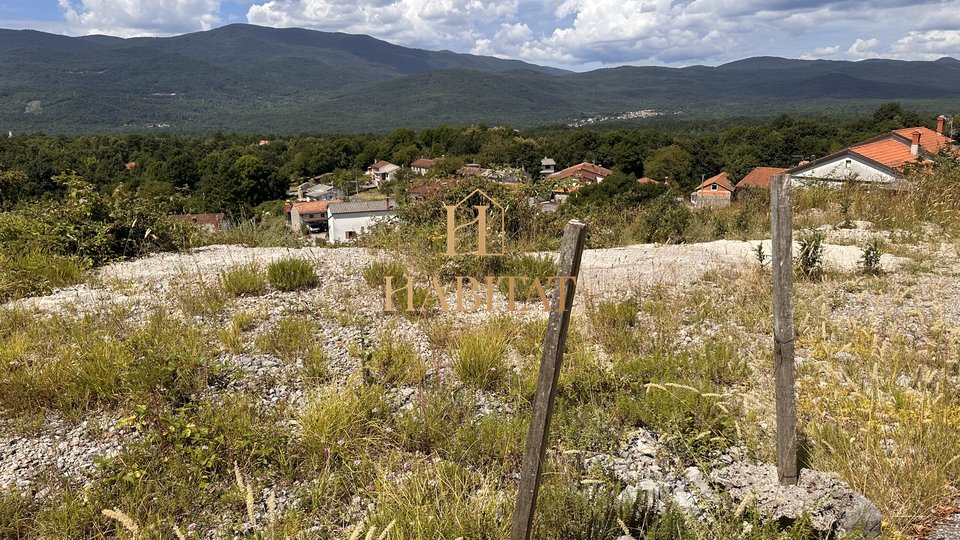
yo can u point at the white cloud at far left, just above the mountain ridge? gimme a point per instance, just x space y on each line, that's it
140 17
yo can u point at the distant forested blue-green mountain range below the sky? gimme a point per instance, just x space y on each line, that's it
249 78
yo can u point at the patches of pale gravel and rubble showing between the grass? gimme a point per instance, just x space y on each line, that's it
921 282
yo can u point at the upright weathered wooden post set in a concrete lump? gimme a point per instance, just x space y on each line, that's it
781 222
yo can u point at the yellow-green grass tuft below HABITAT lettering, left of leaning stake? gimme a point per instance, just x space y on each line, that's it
479 358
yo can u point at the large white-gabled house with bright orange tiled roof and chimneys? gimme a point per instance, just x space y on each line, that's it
881 160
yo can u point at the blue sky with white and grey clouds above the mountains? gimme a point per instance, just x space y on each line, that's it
571 34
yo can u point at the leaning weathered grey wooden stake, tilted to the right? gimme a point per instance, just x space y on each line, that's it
553 345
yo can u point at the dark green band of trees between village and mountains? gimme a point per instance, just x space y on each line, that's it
236 173
